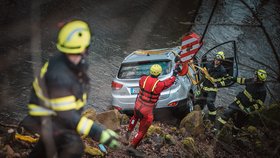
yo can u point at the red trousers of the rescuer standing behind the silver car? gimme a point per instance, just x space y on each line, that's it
143 113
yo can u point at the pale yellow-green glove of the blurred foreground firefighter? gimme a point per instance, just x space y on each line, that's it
109 138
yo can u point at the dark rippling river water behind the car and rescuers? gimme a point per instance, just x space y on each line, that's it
29 34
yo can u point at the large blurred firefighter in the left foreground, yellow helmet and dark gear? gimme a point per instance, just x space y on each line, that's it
58 96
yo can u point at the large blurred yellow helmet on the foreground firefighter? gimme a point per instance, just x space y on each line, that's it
74 37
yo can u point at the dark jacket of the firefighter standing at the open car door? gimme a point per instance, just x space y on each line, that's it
218 77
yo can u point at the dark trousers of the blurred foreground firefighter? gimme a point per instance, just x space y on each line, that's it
68 143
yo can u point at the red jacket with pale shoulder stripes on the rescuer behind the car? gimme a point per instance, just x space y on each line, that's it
150 89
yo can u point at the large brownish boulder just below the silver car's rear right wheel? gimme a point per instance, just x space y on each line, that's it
193 123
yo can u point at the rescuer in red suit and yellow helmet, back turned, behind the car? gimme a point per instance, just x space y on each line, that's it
150 89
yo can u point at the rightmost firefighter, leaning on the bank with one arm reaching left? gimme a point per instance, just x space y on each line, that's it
249 100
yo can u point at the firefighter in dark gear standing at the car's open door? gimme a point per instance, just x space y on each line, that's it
215 78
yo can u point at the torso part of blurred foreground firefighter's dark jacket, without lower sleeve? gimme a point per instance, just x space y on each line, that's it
57 88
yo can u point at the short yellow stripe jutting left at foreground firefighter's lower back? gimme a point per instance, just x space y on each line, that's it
35 110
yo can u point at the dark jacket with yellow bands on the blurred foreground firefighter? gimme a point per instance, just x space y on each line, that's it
60 91
